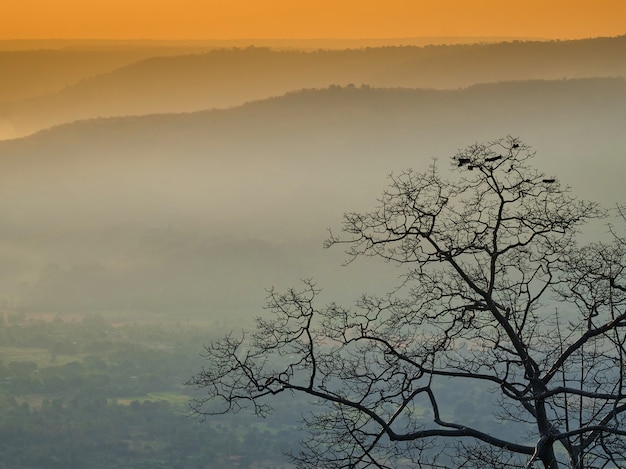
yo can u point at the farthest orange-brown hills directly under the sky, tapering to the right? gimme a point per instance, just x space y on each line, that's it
34 68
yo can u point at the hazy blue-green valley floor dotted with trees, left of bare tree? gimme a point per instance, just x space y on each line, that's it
84 393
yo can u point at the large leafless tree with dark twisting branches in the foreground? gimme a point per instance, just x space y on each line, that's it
497 295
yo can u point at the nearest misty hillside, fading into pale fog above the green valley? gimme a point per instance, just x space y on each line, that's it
279 170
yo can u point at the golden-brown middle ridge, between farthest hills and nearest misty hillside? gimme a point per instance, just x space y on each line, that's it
229 77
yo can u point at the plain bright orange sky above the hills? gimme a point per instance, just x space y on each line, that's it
229 19
